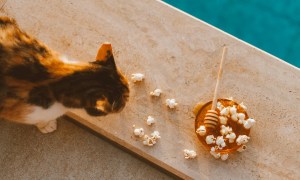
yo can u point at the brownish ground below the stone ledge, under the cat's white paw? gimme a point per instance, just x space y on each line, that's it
69 153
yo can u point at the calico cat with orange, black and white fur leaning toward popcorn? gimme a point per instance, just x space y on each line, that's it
36 86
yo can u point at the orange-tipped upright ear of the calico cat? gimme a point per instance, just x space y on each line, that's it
105 55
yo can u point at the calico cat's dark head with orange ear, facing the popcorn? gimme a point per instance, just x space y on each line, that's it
112 92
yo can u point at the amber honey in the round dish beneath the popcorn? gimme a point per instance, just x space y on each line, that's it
237 128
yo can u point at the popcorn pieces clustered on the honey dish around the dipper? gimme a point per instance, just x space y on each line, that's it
227 134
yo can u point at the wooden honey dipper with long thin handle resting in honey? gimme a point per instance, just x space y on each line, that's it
211 119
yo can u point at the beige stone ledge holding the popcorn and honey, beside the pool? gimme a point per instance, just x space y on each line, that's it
180 55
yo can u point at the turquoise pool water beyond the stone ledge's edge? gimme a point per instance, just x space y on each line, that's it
271 25
